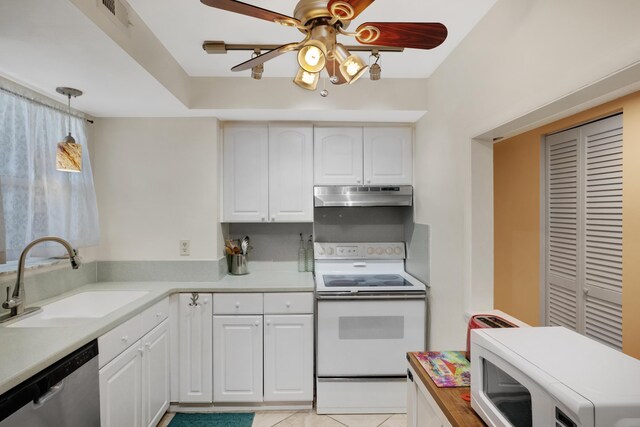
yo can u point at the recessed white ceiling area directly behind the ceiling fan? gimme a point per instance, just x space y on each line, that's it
182 26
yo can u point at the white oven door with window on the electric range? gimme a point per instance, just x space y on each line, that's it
368 336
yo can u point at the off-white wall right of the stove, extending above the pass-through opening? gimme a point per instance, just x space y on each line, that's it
523 56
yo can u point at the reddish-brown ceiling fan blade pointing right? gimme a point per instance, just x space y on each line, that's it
416 35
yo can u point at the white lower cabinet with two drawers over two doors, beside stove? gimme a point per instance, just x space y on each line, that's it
263 347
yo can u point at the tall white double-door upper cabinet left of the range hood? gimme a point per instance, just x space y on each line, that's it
268 173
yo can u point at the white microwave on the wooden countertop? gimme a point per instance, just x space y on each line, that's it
551 376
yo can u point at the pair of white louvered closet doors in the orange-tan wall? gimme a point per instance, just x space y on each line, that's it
584 230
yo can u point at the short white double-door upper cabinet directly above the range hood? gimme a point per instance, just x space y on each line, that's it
363 156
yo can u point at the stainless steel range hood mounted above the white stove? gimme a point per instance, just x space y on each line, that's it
363 196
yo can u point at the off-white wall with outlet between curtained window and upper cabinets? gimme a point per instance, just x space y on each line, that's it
157 183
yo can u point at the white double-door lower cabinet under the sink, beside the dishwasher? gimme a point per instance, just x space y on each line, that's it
134 387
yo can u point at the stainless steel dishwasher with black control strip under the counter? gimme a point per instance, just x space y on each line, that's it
65 394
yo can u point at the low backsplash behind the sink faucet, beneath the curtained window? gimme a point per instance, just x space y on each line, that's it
40 285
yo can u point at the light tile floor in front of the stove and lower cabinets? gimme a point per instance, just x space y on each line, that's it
311 419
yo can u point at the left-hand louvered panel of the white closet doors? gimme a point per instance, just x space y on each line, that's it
562 229
